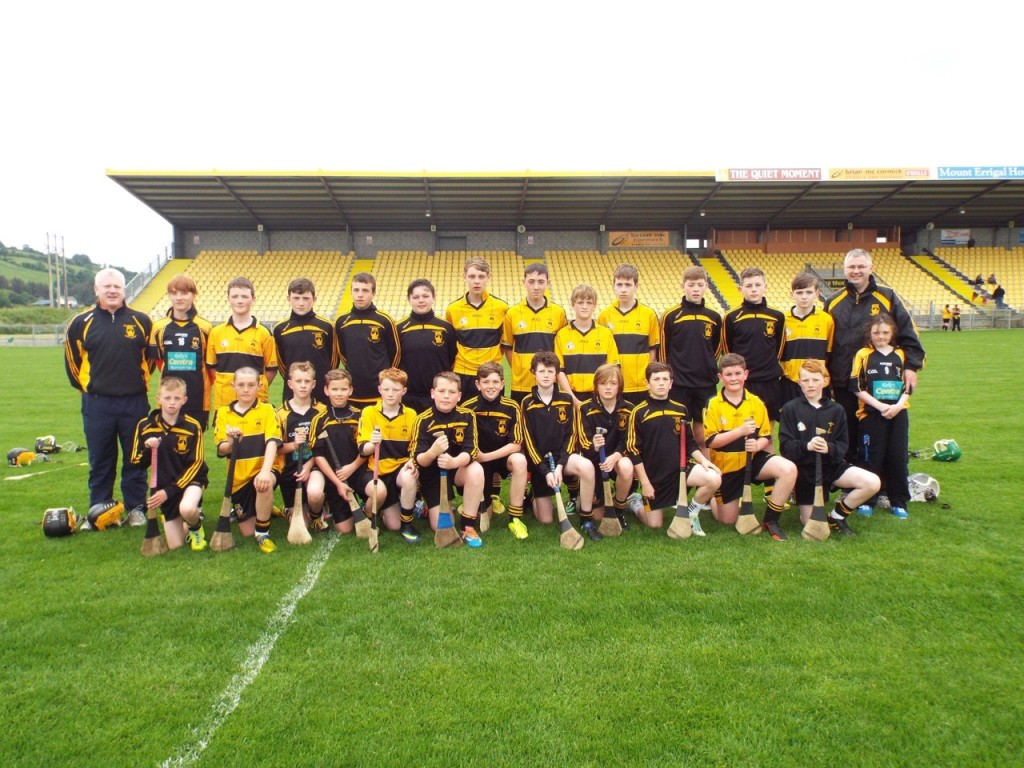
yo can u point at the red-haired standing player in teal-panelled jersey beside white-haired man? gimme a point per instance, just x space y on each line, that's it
179 345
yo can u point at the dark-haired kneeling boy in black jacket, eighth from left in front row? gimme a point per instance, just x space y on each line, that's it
551 426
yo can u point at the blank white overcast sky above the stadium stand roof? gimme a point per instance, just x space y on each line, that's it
448 87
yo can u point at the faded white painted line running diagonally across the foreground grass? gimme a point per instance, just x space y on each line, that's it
255 658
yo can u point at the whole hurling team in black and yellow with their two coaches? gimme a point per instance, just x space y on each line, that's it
381 422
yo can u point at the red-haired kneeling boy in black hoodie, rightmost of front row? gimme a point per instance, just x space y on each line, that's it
816 425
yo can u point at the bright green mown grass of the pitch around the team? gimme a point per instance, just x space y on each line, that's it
903 647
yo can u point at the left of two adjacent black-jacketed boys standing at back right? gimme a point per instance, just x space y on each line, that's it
692 340
